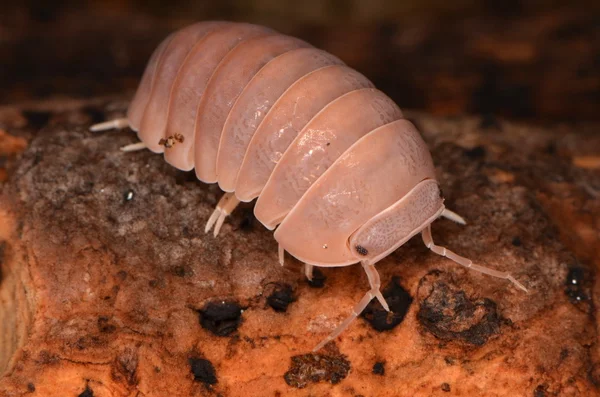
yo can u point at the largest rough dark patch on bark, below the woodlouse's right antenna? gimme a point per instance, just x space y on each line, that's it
449 314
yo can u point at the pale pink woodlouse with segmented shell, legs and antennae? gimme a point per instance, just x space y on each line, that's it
330 158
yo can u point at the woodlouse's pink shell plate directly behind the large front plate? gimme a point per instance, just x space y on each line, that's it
341 123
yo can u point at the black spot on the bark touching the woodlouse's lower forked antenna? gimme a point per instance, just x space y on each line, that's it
397 299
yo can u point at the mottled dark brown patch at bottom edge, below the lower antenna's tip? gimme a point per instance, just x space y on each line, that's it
314 368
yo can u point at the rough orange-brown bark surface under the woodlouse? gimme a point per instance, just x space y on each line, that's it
111 288
